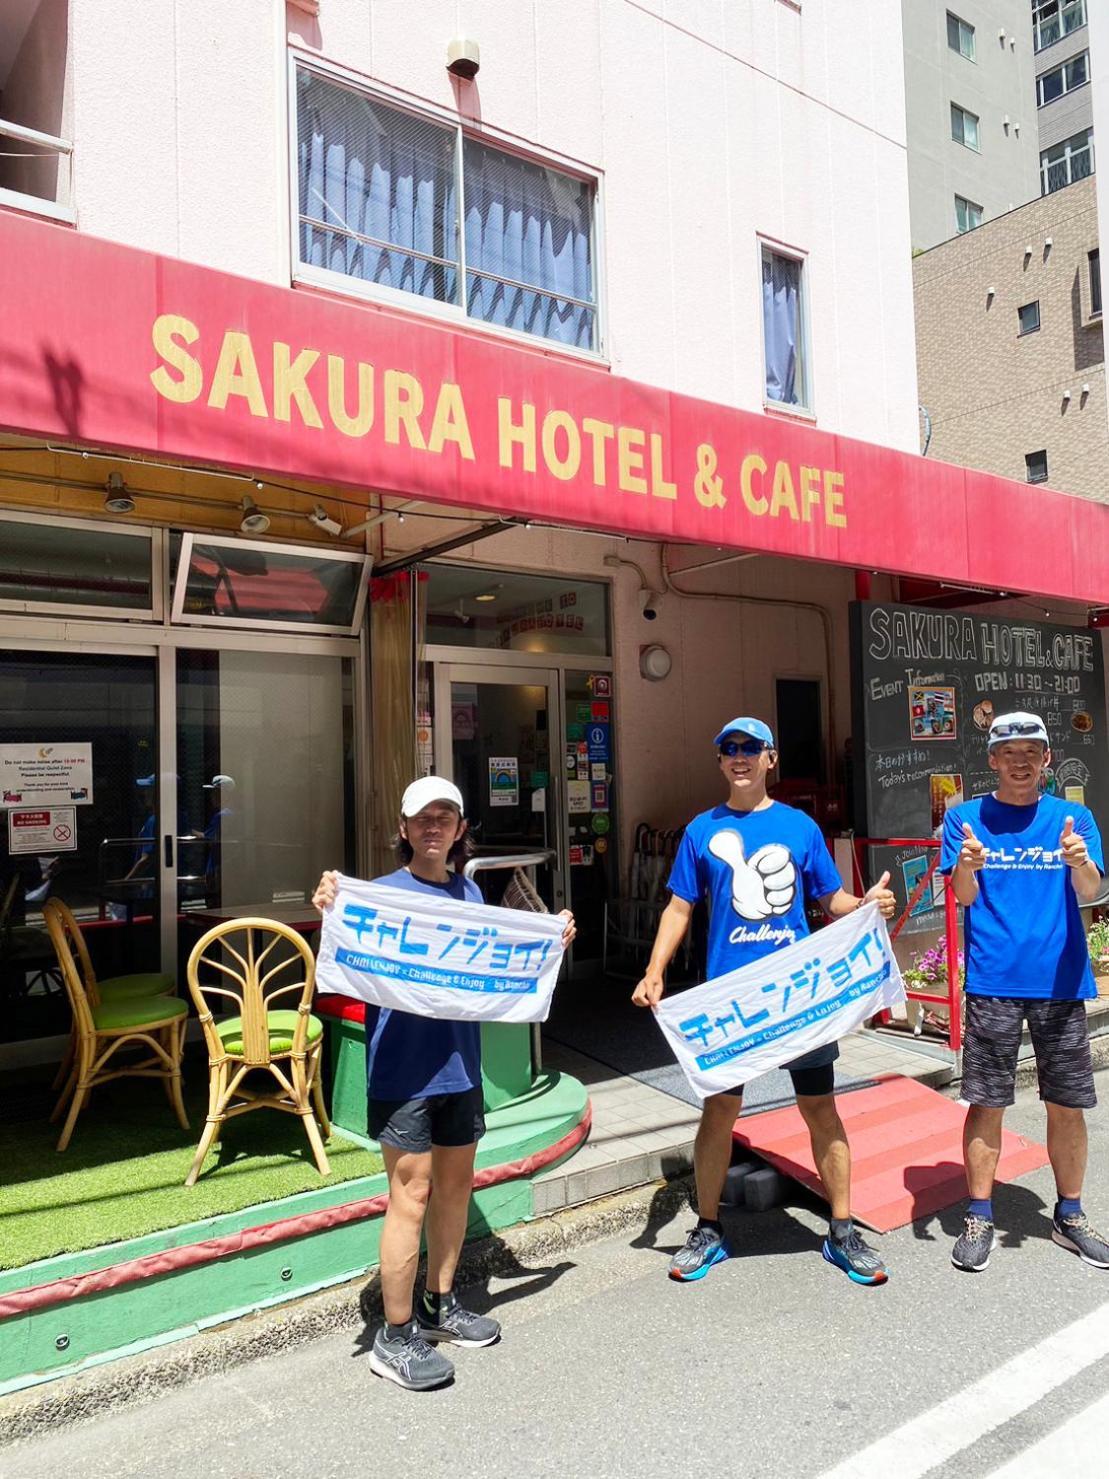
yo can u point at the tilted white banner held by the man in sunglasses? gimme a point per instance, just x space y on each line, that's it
784 1005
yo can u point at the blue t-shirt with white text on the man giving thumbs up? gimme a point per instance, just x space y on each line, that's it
1024 933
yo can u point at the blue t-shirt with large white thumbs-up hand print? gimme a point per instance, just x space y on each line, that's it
756 870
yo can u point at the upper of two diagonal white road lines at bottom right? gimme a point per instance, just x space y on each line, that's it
960 1421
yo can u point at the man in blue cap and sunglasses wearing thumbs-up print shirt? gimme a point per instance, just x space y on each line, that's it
756 862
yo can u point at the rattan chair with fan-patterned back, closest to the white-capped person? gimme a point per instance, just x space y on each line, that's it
252 972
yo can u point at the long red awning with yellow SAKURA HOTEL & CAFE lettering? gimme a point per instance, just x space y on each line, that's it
200 366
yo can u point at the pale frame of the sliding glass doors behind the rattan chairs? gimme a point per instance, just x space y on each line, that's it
44 634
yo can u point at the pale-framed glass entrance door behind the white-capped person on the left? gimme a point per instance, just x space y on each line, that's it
501 730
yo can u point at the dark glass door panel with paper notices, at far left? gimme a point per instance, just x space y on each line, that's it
79 819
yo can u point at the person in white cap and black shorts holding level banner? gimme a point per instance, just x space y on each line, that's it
427 1111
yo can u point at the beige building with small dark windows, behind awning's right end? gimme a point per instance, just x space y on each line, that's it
1011 348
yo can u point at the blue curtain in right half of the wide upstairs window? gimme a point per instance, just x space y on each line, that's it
529 248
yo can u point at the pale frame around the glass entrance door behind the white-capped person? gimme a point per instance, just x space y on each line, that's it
508 675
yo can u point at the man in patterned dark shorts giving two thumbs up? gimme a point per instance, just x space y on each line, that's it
1021 864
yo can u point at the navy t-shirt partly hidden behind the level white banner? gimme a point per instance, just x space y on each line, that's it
410 1057
